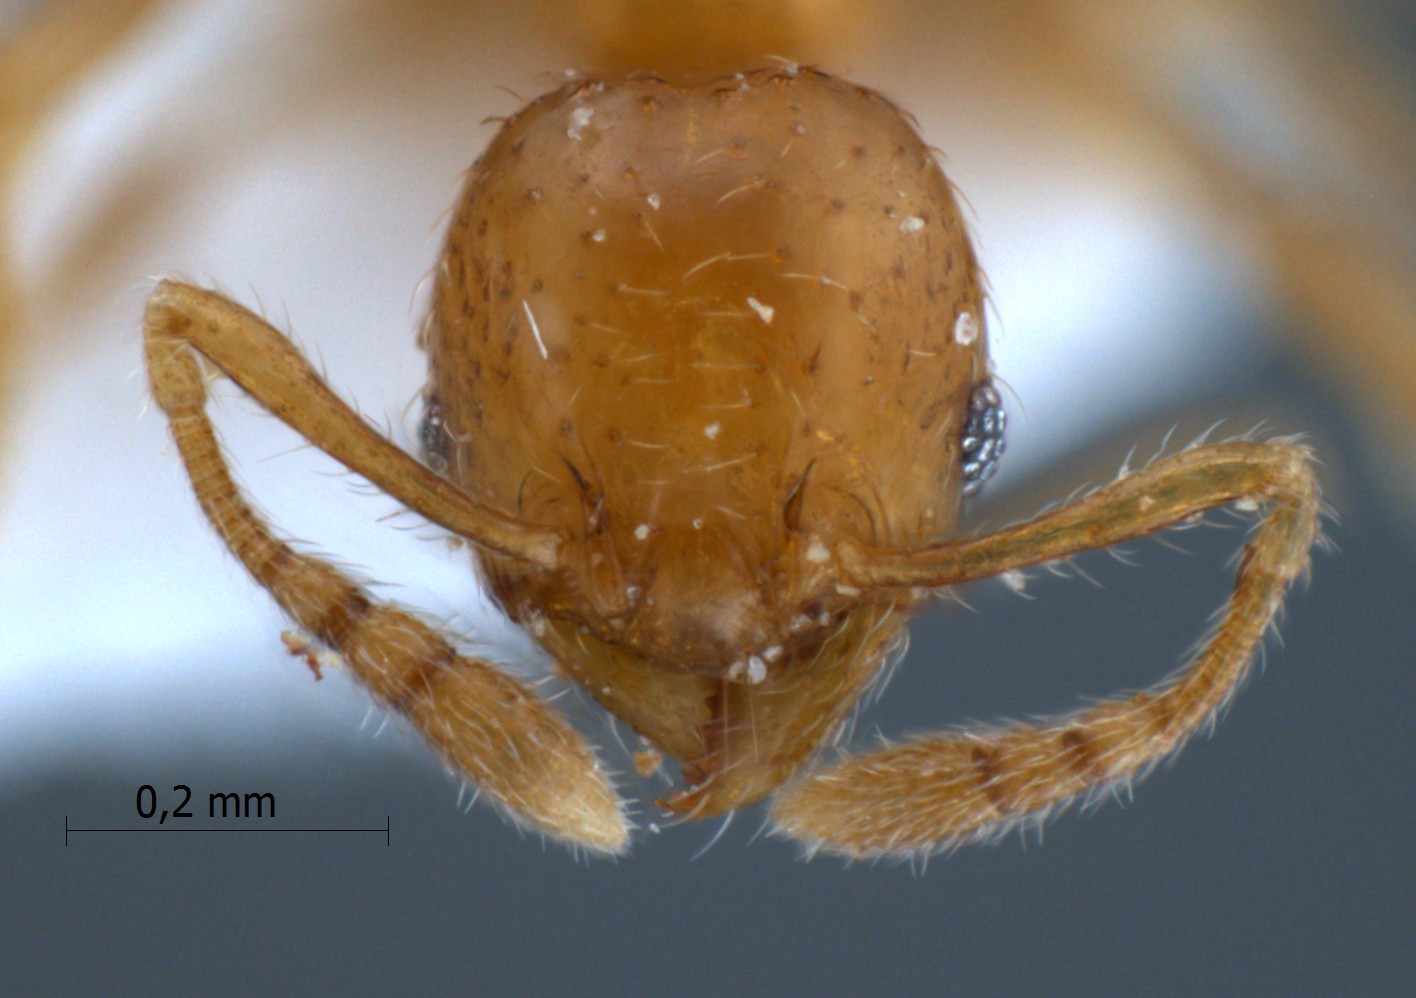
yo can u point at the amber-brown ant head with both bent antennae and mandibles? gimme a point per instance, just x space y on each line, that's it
709 380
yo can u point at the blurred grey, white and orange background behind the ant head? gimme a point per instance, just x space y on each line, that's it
1186 213
